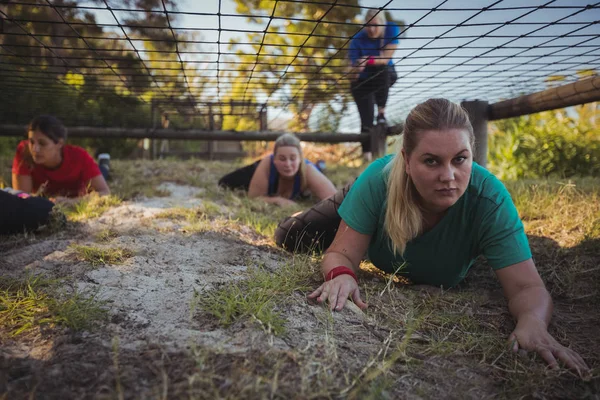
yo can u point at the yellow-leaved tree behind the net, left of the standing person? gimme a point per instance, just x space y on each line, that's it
302 57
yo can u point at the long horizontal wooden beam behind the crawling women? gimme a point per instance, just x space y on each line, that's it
190 134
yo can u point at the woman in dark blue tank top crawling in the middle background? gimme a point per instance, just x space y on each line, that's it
281 177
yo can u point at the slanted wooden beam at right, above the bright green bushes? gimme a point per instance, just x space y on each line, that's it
580 92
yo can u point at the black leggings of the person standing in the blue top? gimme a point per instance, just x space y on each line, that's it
367 92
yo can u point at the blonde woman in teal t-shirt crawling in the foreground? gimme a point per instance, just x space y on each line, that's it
427 213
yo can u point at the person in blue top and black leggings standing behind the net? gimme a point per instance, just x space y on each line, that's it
373 72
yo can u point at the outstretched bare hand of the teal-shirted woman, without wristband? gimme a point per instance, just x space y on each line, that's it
531 334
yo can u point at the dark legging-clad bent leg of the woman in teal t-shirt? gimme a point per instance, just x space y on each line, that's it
314 229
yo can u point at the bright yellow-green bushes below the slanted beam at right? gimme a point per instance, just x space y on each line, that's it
561 143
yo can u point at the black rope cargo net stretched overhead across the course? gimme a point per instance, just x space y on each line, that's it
290 56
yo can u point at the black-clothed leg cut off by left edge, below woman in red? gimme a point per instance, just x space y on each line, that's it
18 215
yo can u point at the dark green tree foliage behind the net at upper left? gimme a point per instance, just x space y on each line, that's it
70 84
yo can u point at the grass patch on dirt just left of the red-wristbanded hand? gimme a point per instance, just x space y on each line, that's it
259 297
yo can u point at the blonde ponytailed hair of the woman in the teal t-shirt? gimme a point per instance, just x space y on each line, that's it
403 216
